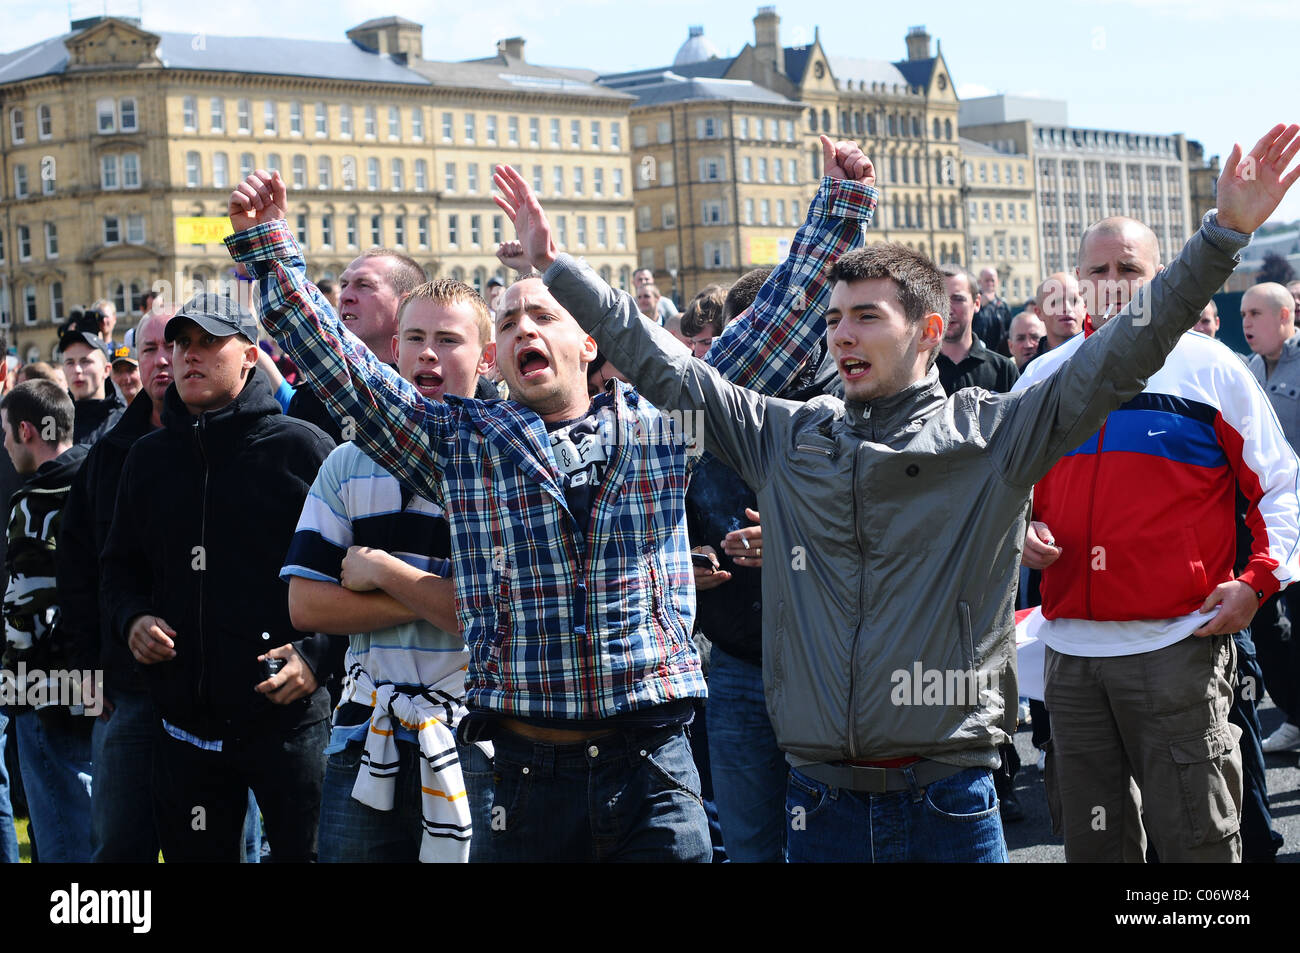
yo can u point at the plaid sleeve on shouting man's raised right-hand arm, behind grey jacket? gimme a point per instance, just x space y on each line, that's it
765 348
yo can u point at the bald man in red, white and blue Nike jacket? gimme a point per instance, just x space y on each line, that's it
1136 535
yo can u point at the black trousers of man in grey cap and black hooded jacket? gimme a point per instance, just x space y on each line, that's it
201 799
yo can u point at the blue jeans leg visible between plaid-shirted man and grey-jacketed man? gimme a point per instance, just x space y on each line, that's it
748 769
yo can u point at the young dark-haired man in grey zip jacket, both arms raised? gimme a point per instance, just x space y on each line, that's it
890 656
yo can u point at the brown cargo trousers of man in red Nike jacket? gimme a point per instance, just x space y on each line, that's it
1156 722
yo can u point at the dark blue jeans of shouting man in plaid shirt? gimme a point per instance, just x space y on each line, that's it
632 796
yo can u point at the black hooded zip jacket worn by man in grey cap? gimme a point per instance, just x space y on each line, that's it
205 516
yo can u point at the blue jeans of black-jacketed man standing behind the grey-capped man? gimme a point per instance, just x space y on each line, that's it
123 752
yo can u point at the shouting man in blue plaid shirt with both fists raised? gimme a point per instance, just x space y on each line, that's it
569 535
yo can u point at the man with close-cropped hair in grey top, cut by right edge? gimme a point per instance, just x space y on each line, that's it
1268 323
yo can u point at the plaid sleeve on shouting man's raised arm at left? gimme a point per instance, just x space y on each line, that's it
389 418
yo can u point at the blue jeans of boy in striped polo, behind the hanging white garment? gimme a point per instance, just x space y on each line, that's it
353 833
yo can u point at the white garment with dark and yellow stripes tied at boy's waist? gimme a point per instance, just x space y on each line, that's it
434 716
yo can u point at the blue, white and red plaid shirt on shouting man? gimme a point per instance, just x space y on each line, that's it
560 625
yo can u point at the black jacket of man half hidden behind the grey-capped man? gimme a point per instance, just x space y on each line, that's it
88 518
